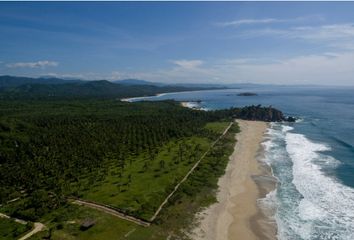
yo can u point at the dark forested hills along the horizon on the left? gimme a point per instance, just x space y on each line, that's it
54 88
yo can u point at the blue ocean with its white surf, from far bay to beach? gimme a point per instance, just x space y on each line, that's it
313 159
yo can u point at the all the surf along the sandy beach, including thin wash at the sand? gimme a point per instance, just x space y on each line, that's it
309 204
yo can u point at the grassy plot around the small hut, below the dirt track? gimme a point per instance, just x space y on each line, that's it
64 223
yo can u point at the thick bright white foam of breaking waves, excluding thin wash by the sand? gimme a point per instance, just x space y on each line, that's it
327 208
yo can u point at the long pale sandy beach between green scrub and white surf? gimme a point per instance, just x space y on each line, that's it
236 215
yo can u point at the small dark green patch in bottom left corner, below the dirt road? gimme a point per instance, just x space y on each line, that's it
9 229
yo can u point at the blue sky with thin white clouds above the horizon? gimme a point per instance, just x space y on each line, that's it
184 42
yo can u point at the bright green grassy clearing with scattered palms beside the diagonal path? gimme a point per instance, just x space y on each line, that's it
141 186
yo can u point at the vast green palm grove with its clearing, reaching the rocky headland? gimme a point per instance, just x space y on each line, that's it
126 155
